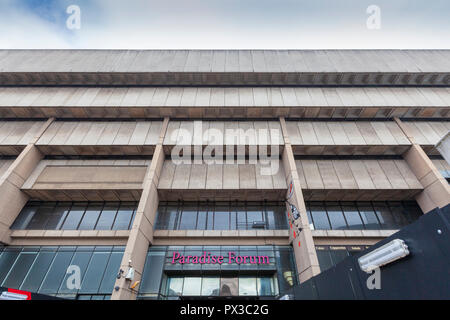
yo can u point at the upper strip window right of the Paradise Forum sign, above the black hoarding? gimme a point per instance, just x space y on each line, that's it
347 215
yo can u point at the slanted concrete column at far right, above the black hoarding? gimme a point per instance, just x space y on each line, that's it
436 191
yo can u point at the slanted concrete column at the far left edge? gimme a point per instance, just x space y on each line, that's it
12 198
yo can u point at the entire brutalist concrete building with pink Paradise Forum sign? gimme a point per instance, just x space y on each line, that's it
211 174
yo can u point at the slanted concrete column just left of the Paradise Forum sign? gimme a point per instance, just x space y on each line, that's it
141 234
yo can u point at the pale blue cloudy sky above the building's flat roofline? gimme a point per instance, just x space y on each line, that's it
225 24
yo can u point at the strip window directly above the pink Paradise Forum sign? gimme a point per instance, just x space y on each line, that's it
221 215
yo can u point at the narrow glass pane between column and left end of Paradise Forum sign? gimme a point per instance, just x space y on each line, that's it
152 274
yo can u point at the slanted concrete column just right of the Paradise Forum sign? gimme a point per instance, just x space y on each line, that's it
302 242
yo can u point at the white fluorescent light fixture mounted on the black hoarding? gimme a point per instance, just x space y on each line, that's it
391 251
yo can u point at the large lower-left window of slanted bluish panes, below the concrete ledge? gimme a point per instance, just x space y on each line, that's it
44 269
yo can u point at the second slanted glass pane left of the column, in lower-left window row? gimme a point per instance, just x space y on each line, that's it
94 272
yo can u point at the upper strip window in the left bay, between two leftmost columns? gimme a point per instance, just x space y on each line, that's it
76 216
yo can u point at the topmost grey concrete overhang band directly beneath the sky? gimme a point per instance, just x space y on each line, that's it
225 67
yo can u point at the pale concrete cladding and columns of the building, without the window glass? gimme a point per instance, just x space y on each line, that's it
335 131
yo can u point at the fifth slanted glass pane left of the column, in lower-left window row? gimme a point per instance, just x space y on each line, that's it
37 272
